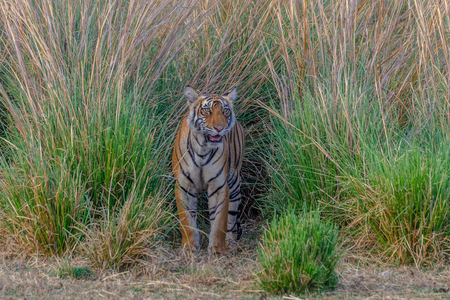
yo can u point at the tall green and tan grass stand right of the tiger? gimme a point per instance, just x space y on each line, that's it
363 123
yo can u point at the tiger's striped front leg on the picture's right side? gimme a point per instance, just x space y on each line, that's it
218 200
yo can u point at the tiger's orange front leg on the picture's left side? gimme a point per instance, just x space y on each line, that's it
187 213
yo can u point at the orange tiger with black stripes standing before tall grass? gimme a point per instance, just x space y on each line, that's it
207 156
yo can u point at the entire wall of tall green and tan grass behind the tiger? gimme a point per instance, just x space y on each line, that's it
346 105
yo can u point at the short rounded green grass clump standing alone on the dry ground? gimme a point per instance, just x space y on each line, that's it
298 253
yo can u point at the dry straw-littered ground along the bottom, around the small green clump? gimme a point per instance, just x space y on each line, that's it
173 274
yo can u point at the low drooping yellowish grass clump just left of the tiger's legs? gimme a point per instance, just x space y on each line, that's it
119 240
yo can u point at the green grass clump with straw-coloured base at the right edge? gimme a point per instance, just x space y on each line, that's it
405 202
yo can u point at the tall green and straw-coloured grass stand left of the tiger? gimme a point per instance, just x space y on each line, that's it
84 148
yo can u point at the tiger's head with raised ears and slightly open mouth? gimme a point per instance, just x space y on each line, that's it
211 114
